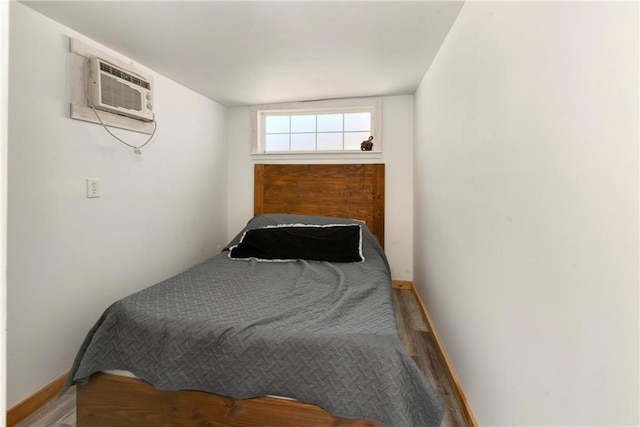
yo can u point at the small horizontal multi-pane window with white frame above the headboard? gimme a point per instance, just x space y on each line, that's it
320 127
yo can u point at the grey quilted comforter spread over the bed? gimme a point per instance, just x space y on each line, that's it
319 332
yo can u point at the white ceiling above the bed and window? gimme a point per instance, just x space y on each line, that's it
259 52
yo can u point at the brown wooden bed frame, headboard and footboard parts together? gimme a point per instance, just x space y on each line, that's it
346 190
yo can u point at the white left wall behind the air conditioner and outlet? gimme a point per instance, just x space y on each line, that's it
70 257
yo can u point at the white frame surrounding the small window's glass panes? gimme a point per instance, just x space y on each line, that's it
258 113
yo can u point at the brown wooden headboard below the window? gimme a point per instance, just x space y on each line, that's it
342 190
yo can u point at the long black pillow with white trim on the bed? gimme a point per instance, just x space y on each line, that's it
287 242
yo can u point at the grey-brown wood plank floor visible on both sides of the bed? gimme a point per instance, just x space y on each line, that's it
61 412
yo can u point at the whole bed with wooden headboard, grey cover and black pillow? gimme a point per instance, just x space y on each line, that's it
266 340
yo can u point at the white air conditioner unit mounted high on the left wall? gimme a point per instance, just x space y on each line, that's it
119 91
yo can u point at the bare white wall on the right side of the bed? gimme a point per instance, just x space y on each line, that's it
526 209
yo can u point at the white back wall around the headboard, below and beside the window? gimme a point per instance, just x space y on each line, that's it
397 134
